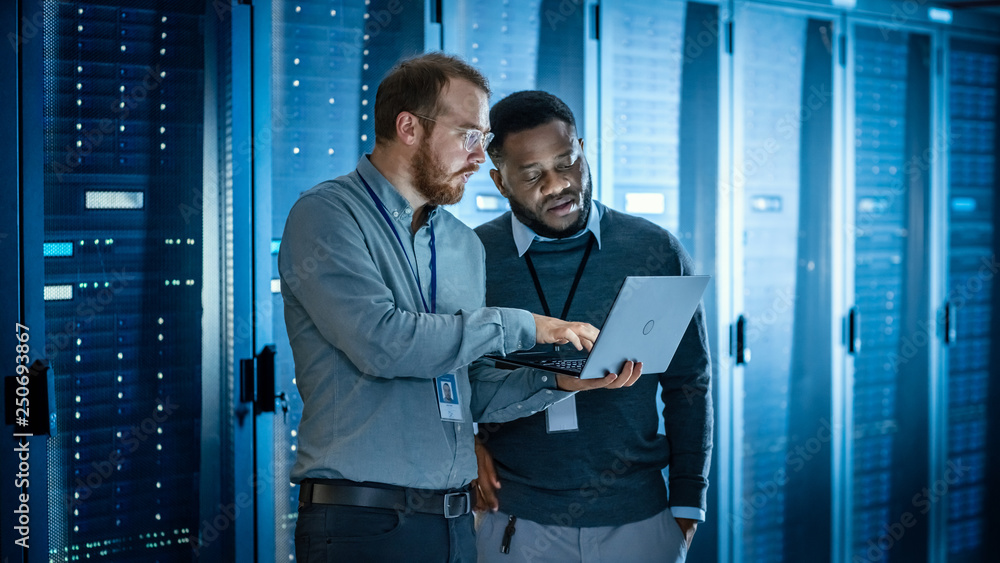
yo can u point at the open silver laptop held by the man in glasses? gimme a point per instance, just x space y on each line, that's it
646 323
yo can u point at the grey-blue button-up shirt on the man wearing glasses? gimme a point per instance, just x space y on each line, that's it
366 352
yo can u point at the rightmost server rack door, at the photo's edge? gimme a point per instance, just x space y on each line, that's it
970 330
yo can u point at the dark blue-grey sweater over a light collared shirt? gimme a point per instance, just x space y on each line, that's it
609 472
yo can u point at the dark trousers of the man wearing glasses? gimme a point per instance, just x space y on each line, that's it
326 533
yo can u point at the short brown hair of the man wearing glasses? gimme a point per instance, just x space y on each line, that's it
415 85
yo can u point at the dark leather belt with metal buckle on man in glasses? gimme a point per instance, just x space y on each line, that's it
447 504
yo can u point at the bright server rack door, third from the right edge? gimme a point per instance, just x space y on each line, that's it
784 95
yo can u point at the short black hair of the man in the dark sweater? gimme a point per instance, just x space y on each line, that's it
521 111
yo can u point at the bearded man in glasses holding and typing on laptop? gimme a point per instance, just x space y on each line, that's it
384 306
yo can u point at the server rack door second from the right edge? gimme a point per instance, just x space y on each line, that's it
890 438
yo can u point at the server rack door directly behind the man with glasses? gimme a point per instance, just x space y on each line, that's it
314 113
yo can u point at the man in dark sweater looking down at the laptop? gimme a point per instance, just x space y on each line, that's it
593 491
